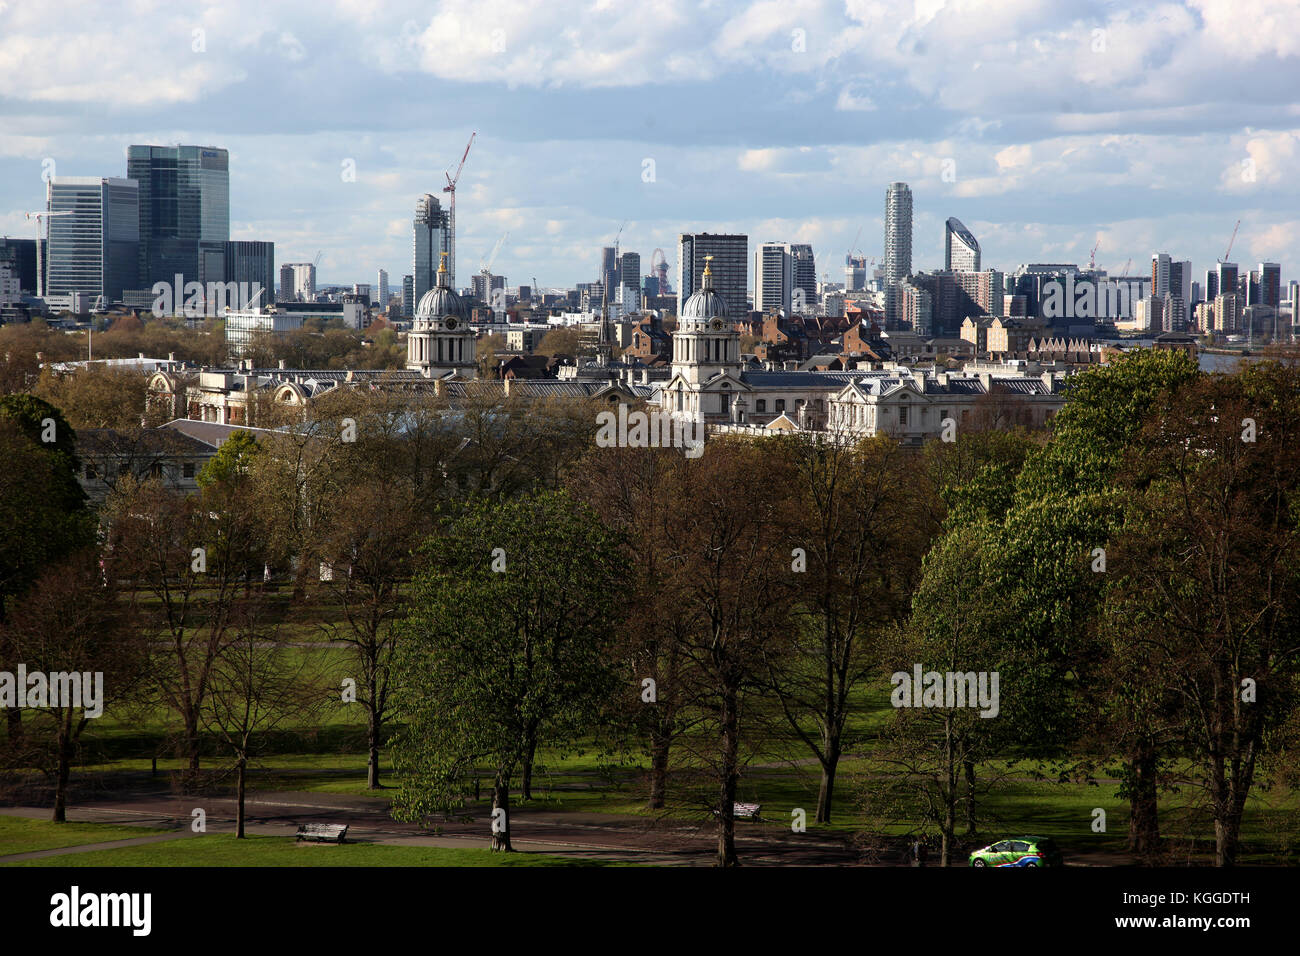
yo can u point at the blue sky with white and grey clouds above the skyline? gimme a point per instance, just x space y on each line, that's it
1045 126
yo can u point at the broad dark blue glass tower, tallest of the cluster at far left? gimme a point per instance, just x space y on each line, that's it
184 213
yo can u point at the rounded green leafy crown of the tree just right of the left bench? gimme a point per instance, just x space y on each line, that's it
491 657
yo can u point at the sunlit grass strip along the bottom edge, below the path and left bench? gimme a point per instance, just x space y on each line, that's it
224 850
